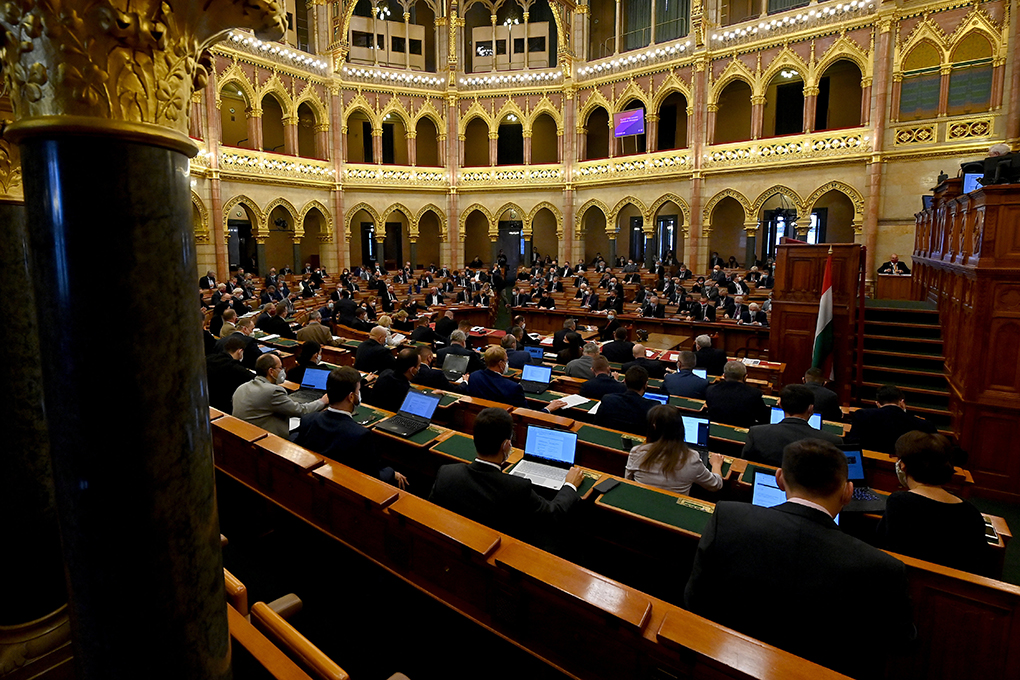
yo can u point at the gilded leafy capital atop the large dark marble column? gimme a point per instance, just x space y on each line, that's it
135 62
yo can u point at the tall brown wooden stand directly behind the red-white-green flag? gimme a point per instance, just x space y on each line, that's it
799 274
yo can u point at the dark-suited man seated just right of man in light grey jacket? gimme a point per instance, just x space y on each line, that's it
335 435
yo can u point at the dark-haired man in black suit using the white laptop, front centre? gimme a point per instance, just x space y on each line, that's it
481 492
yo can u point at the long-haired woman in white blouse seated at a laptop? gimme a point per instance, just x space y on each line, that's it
667 462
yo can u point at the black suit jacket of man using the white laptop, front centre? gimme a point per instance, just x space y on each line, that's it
502 502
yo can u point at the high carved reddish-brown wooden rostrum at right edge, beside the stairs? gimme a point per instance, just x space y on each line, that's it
967 260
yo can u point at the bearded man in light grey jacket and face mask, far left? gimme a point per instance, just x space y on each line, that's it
264 401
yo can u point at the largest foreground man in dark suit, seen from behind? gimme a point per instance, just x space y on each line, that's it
844 604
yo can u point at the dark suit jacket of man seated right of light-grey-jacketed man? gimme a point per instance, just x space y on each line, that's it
338 437
